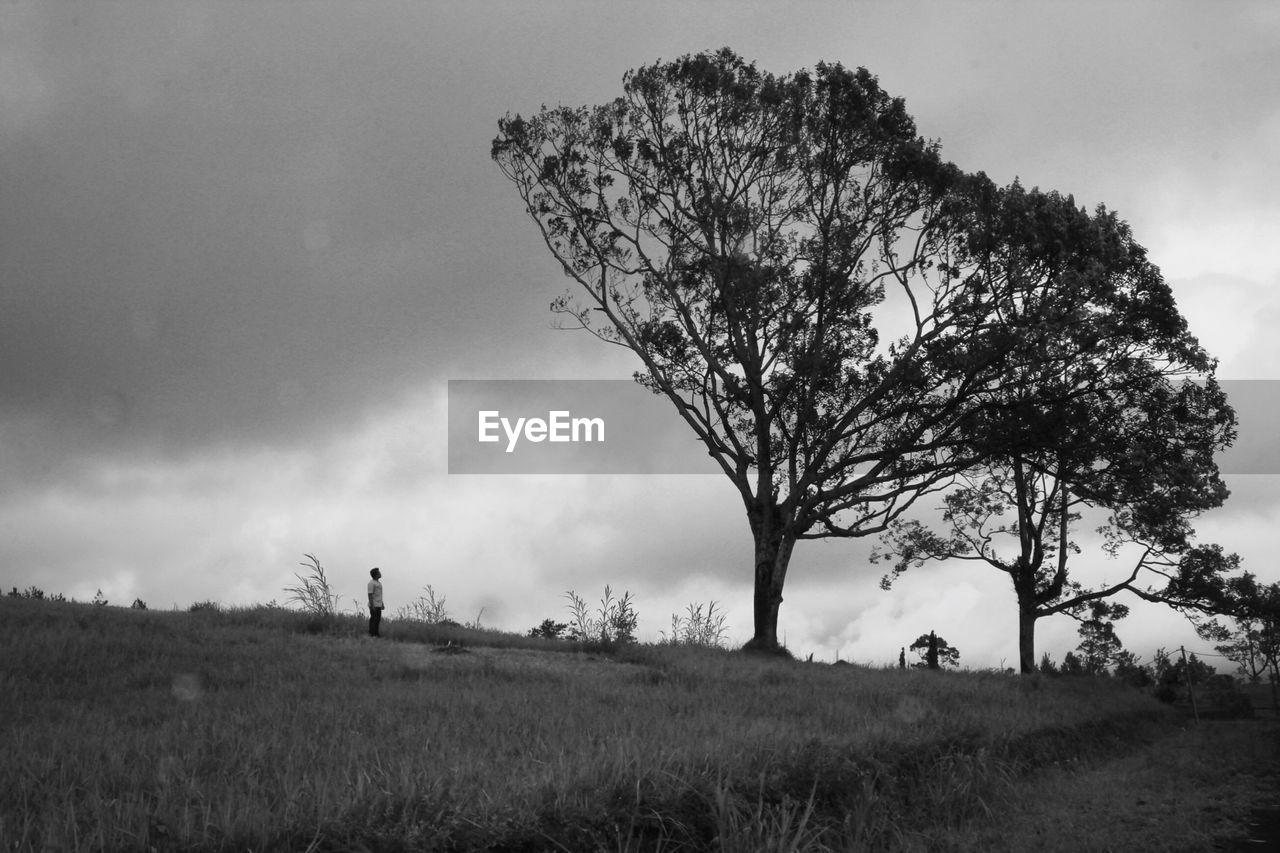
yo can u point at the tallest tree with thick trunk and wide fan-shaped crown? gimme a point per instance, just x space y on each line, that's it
778 250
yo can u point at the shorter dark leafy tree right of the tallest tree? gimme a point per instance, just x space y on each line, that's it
1122 417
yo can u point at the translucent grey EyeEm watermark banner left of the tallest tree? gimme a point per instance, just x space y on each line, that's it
569 427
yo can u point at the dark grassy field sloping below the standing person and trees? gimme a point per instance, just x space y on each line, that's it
266 729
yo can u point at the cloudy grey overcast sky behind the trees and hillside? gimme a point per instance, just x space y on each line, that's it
245 247
